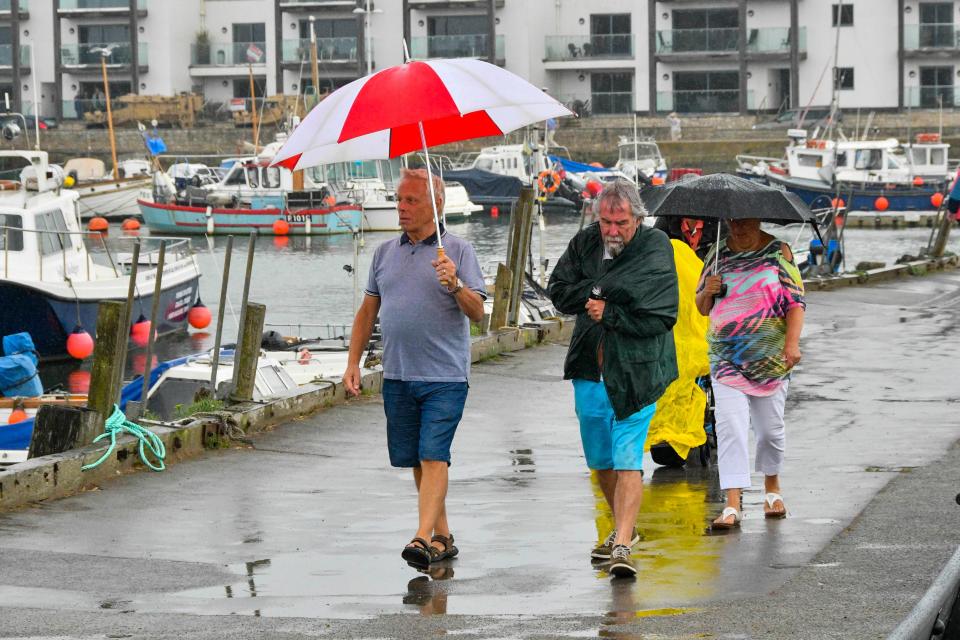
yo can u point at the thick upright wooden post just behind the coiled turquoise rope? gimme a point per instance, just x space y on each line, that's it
111 334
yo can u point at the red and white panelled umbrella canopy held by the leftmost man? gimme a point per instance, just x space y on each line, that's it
413 106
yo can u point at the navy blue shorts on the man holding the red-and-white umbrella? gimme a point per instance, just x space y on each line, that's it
421 419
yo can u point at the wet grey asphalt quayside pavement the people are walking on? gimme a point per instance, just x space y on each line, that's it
300 537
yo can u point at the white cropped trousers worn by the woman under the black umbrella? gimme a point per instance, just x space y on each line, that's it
735 413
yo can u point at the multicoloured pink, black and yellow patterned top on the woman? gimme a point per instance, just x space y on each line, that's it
748 326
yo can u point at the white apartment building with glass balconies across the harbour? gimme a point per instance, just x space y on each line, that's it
598 56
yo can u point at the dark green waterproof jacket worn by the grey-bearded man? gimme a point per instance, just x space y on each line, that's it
640 289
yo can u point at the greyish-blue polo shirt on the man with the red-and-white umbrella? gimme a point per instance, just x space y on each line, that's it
426 337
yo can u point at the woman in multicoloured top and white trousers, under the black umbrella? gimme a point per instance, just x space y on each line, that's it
754 343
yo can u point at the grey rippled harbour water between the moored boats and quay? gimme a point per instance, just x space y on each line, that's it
304 284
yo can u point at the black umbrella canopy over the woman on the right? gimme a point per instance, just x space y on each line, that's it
727 197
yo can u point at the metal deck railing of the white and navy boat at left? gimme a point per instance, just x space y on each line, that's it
100 250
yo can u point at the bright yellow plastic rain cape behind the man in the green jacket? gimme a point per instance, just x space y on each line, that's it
679 417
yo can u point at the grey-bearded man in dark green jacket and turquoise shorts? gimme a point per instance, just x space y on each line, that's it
619 279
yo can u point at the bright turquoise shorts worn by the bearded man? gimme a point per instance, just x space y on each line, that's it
609 443
